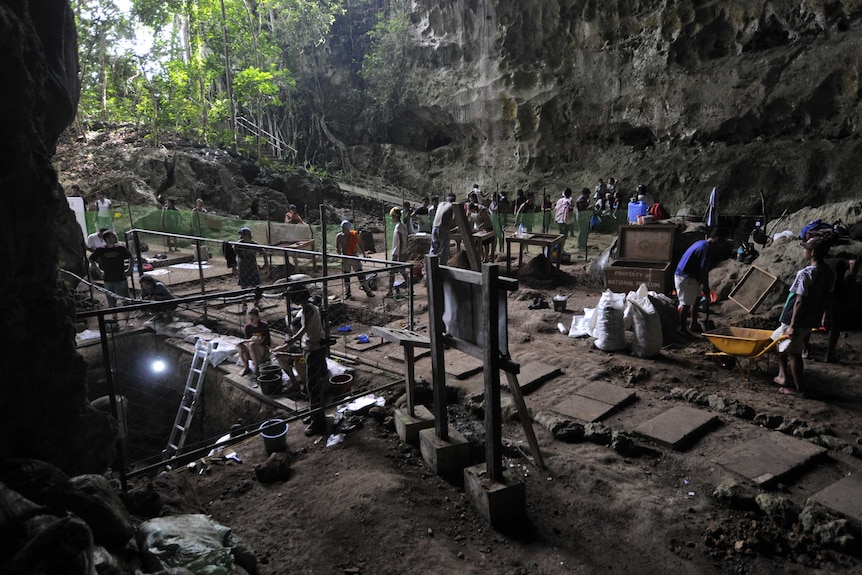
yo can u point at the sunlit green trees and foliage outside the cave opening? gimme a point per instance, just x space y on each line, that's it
165 65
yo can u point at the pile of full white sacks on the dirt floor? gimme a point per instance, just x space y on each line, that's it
647 314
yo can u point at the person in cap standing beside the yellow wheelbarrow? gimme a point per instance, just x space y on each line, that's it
804 309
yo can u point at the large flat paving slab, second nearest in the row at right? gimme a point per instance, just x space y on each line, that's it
766 459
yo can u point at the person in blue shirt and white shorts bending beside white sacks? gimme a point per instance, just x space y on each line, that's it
691 278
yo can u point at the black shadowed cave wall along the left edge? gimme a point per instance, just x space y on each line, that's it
43 409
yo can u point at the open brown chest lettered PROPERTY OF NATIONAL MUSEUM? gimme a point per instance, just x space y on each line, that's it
644 255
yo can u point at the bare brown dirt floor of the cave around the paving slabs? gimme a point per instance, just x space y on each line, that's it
370 505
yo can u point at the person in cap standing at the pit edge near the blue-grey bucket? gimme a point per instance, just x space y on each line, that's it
310 336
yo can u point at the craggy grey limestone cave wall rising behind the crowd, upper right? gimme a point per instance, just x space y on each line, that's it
748 96
